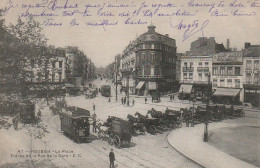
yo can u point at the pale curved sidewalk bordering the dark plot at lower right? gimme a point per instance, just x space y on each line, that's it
189 142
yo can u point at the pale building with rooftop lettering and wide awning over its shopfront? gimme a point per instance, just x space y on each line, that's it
227 77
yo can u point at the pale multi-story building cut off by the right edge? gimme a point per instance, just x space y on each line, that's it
251 74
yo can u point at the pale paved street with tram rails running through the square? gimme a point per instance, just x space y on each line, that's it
146 151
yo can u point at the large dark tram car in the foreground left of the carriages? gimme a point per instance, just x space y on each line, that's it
75 123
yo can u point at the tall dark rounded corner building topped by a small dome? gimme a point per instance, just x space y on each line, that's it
155 62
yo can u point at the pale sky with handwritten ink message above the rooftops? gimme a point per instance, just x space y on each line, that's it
195 18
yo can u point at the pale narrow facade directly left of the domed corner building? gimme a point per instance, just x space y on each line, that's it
128 64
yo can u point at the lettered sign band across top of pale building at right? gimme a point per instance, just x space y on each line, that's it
229 57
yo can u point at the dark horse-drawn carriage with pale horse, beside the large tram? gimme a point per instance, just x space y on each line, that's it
116 131
